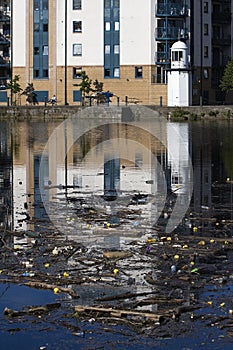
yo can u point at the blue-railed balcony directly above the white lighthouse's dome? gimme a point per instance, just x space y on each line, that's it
170 33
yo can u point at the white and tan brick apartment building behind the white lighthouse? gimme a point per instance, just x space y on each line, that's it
123 44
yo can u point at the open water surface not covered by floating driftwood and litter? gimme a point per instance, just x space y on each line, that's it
50 171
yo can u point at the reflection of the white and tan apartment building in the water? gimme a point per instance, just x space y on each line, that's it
122 173
